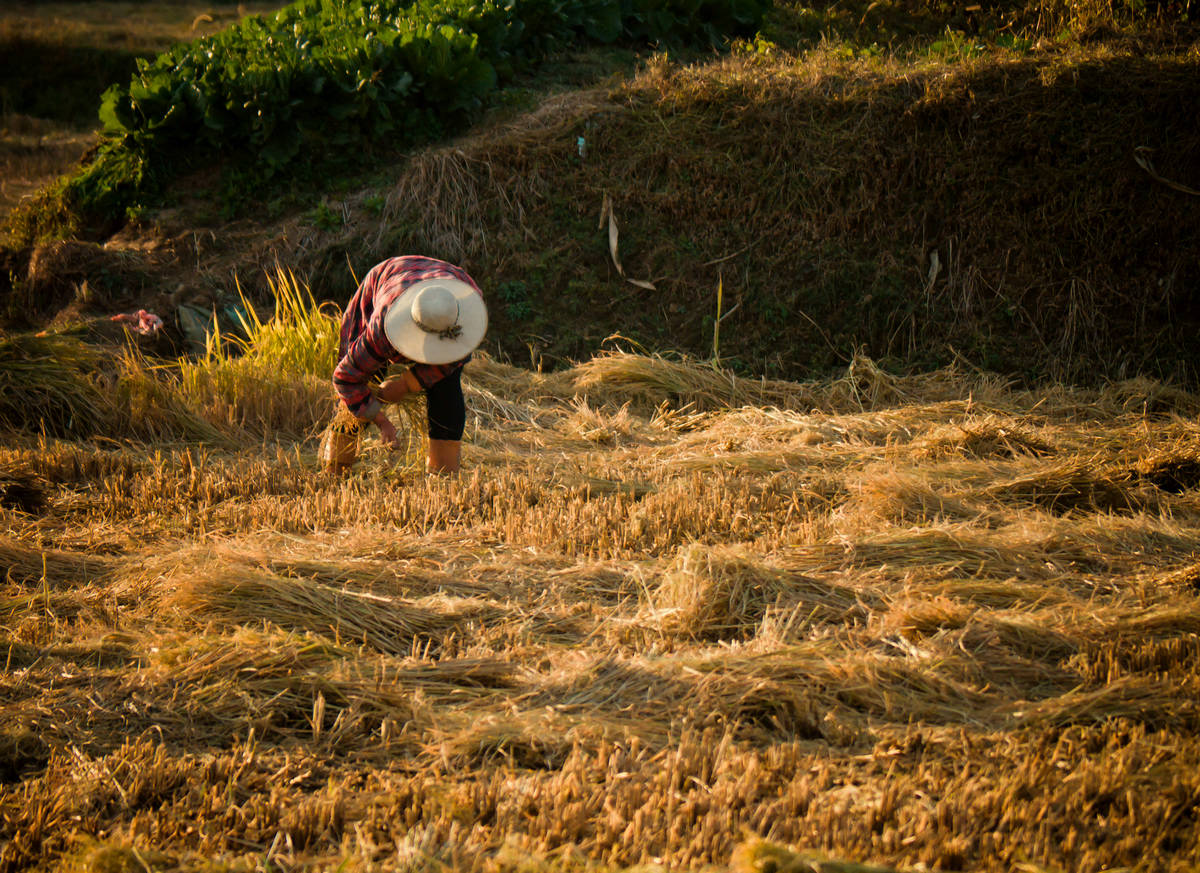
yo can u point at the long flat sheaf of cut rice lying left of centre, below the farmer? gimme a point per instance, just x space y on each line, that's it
247 597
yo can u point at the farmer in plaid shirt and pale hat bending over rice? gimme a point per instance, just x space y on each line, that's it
417 311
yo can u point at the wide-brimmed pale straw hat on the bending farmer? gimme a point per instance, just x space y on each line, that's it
436 321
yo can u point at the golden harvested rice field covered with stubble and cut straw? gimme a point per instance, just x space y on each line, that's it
665 618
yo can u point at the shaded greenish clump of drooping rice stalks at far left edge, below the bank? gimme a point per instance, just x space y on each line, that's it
51 386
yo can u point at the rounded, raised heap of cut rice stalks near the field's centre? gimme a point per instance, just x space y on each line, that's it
723 593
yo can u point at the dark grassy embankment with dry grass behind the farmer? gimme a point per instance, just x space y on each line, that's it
911 183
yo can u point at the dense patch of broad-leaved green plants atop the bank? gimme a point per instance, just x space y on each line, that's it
321 77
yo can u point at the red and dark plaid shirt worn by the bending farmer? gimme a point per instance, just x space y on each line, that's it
364 350
